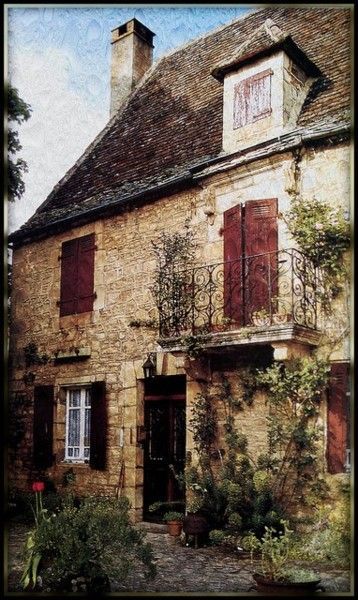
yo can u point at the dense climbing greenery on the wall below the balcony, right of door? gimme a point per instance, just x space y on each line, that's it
238 492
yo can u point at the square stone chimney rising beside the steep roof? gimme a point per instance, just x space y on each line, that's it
132 56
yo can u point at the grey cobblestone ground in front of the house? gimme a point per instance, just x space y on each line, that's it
180 569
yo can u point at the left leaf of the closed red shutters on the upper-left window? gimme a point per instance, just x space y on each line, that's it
69 262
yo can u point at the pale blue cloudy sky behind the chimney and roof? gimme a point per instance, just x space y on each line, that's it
59 60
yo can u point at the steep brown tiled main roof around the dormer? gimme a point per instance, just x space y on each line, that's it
174 119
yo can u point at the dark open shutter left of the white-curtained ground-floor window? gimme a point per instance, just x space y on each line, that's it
43 426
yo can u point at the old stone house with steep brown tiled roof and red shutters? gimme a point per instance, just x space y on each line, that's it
211 139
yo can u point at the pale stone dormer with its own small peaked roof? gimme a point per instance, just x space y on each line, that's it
266 82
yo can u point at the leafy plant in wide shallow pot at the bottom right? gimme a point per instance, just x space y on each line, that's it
276 573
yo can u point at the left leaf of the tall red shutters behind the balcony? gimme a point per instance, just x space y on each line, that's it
233 307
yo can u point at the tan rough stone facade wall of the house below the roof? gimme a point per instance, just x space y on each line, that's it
124 265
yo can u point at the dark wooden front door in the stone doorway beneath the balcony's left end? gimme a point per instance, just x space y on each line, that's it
164 448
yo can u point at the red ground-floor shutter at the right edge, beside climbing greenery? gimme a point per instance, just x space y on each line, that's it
337 427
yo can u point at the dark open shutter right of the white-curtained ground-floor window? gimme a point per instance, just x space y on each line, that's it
98 426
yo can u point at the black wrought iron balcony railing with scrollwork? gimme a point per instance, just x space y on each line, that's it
261 290
